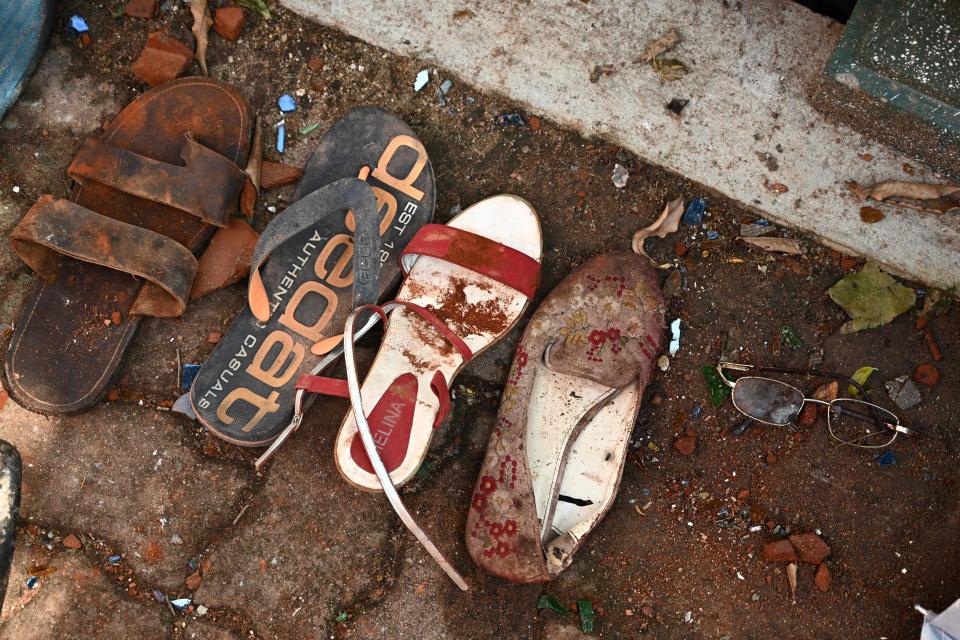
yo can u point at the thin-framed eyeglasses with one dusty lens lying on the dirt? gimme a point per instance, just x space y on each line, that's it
853 422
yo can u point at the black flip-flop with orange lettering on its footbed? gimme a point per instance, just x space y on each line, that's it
371 162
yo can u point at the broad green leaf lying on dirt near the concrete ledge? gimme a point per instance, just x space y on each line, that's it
871 298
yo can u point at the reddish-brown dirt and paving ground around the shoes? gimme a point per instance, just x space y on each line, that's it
297 553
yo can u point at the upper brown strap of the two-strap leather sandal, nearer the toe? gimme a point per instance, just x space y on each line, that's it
207 186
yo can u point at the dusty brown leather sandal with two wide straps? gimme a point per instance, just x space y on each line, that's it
165 174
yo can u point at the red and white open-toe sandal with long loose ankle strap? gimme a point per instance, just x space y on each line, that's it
467 283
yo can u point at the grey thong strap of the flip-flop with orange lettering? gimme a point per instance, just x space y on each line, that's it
346 194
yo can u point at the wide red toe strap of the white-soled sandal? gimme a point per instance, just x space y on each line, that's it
504 264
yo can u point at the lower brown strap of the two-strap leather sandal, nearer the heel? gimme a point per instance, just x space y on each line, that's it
53 227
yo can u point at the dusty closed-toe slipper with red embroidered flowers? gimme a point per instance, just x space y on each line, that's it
557 452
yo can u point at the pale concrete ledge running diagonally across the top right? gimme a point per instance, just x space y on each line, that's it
751 67
